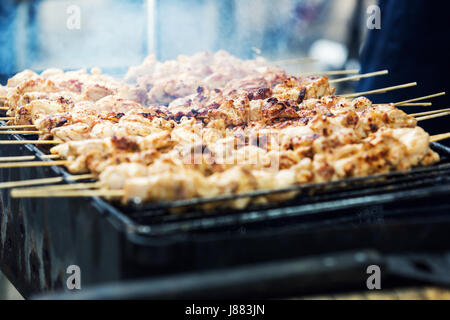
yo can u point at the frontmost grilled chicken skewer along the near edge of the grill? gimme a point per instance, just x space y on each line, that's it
169 180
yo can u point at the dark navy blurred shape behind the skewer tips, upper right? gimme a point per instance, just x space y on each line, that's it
412 44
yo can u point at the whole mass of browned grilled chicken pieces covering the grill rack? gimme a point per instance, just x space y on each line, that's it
227 126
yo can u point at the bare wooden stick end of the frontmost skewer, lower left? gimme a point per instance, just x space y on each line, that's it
69 194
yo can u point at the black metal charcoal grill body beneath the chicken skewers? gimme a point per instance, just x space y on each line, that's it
390 213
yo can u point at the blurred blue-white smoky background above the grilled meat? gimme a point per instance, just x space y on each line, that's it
115 34
